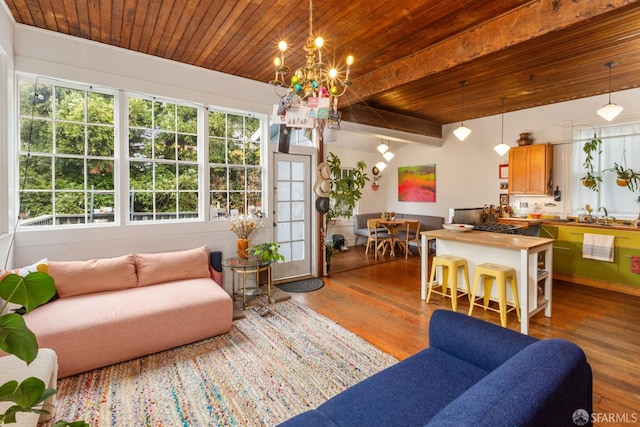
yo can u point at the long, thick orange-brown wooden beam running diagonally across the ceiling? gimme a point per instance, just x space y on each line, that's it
526 23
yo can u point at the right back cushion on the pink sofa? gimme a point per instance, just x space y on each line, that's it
167 266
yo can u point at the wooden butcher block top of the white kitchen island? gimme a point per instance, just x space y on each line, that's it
510 241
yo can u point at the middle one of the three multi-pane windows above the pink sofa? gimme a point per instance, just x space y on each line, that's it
163 160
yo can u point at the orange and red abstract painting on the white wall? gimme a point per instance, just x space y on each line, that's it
417 183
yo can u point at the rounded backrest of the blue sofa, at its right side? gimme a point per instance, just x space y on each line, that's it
543 385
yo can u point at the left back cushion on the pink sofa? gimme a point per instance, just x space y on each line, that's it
95 275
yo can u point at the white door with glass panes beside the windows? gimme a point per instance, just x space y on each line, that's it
292 214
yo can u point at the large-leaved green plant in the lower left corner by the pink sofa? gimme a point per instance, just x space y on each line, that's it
30 291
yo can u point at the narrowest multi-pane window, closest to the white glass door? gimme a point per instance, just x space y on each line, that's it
235 170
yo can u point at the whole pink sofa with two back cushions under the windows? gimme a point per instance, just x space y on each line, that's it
116 309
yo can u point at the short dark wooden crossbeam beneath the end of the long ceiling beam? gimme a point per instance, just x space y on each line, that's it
359 113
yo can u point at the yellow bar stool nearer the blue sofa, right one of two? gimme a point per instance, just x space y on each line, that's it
500 273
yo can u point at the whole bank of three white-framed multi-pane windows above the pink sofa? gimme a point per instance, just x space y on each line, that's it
151 145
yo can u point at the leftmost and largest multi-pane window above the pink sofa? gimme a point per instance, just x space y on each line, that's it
66 154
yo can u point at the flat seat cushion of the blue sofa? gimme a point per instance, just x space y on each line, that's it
408 393
